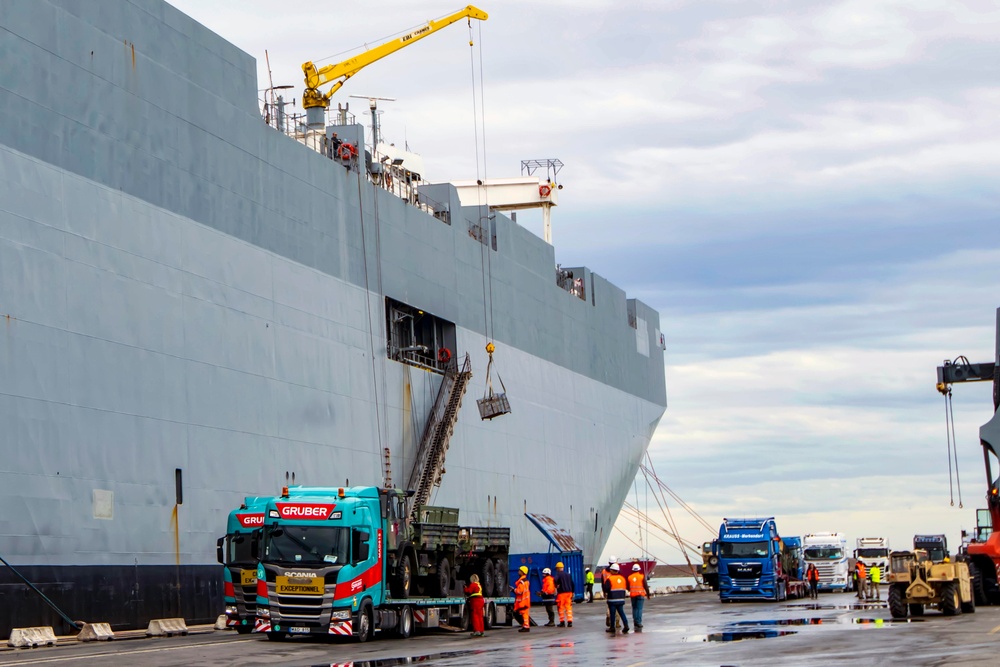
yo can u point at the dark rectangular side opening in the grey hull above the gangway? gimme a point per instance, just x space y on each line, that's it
418 338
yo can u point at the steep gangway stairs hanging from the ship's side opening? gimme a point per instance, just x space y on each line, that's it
429 464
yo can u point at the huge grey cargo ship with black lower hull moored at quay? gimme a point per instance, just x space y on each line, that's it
198 305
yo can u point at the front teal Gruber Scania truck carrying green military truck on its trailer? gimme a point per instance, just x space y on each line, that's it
355 561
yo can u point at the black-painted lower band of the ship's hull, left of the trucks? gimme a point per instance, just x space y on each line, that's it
127 597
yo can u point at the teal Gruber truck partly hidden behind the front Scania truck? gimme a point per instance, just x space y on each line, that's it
237 553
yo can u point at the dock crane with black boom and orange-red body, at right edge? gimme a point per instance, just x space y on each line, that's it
983 557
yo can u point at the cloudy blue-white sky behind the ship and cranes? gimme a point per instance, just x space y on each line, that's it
806 192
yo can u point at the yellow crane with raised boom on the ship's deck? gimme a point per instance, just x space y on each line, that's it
339 73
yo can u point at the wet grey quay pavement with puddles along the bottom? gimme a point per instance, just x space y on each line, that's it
681 629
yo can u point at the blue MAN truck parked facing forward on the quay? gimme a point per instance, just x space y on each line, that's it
756 563
